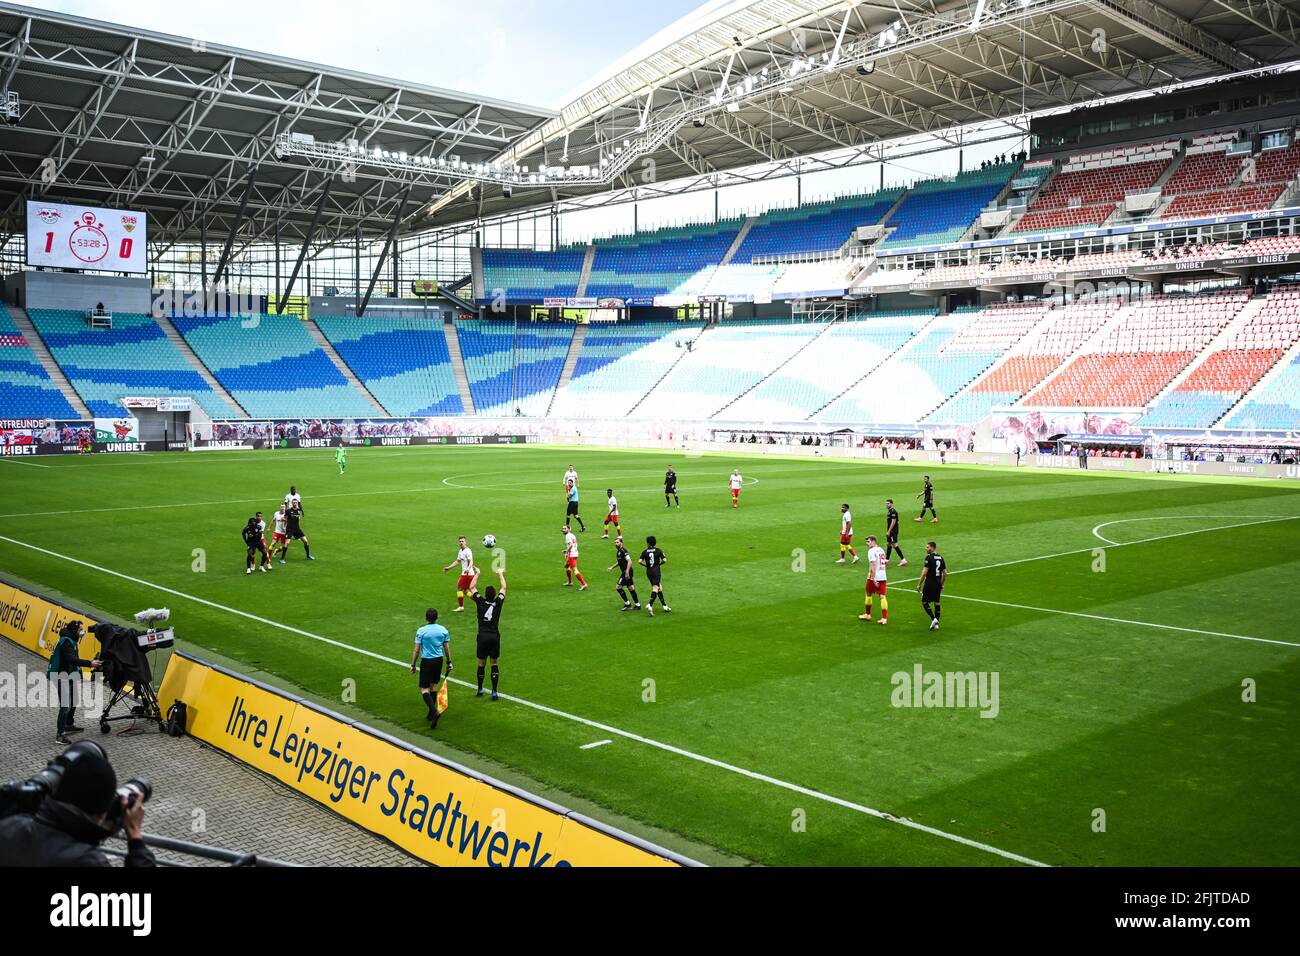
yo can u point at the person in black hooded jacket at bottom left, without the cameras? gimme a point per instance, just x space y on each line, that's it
71 824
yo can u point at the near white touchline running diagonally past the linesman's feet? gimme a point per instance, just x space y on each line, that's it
543 708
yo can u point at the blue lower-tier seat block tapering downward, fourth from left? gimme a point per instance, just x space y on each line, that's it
404 361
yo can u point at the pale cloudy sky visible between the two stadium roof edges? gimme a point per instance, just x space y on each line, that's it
535 53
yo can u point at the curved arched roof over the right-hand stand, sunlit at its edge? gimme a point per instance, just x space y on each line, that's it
920 68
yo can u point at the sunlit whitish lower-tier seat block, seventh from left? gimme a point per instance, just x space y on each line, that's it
726 362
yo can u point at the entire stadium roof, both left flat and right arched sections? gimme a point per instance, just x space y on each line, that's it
128 118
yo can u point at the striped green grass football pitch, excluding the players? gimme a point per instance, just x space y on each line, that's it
1142 633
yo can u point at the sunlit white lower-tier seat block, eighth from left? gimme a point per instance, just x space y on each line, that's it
827 367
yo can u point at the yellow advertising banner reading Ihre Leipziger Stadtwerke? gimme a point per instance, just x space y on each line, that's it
436 811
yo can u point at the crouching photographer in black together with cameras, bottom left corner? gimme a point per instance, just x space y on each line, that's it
60 816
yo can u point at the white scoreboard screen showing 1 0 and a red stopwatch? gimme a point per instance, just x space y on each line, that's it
86 237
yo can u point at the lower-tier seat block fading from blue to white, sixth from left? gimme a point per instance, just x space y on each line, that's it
619 364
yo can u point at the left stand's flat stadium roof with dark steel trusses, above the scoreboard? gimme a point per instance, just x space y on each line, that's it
125 118
